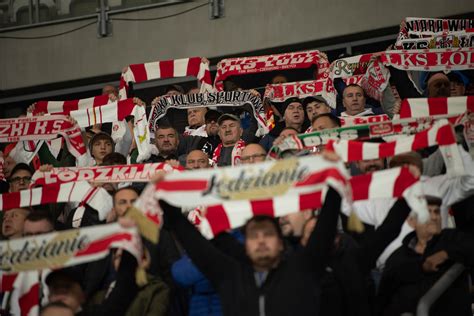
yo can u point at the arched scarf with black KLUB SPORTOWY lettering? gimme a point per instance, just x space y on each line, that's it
224 99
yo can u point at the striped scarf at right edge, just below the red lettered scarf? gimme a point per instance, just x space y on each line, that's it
423 107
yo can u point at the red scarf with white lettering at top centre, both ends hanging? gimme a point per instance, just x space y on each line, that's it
259 64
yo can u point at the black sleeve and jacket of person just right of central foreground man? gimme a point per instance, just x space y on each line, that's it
348 289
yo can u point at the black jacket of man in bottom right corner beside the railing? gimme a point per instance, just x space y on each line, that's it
404 282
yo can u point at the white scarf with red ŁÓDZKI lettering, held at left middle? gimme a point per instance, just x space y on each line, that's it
107 174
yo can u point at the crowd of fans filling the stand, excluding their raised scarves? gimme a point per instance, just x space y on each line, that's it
372 257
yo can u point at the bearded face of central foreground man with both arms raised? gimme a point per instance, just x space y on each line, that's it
263 245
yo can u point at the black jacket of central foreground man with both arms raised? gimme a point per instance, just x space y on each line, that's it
292 288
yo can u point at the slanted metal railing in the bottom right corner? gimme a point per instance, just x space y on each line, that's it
438 288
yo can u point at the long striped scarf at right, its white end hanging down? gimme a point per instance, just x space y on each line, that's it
441 134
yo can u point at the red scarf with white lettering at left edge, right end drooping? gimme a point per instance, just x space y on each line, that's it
43 128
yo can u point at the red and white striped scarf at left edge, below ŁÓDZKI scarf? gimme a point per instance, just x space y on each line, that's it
83 192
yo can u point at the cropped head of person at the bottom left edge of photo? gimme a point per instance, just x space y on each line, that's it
67 292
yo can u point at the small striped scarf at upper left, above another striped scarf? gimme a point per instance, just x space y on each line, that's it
64 107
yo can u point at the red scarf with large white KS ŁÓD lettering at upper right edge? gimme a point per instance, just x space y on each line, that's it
377 77
